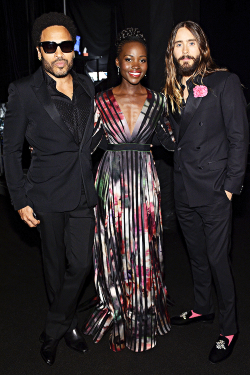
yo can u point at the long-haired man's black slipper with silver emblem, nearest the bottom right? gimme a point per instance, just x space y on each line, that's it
221 350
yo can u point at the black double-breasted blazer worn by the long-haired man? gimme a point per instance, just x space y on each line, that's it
212 141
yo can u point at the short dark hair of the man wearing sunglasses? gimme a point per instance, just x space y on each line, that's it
52 19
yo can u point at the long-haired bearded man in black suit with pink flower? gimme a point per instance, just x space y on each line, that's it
207 113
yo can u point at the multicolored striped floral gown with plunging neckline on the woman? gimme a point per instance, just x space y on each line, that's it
127 250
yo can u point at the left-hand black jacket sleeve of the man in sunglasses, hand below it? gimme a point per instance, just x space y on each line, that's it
15 125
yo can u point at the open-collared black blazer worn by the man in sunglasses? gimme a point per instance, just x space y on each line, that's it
58 164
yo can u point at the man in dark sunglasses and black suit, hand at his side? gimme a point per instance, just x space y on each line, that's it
53 110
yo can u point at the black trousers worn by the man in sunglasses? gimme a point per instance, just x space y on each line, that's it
67 241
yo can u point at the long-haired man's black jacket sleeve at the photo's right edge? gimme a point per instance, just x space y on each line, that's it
233 106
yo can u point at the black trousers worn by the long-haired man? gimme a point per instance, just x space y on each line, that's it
207 231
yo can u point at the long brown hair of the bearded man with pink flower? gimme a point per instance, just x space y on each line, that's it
206 66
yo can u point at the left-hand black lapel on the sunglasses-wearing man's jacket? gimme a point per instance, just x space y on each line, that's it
41 92
